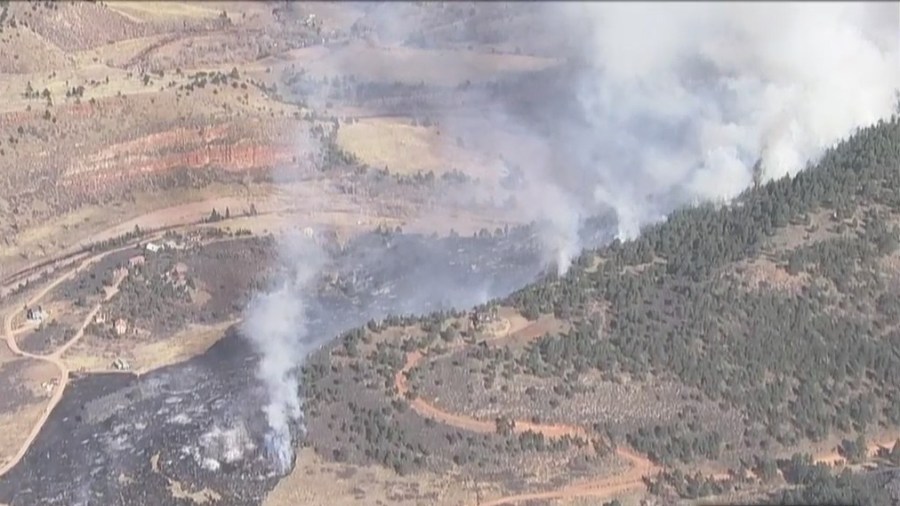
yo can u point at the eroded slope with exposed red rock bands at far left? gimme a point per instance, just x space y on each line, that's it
101 151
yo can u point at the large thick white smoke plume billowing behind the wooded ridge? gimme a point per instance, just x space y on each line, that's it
687 99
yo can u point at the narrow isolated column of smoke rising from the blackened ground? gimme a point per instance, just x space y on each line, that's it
275 323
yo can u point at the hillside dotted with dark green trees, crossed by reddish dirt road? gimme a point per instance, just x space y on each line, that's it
738 334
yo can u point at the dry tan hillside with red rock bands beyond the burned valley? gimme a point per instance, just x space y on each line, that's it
198 103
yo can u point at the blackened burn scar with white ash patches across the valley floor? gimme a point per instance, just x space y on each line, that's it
121 439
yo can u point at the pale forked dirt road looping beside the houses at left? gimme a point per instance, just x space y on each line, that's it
55 357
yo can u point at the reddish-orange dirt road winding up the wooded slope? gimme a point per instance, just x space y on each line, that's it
605 487
